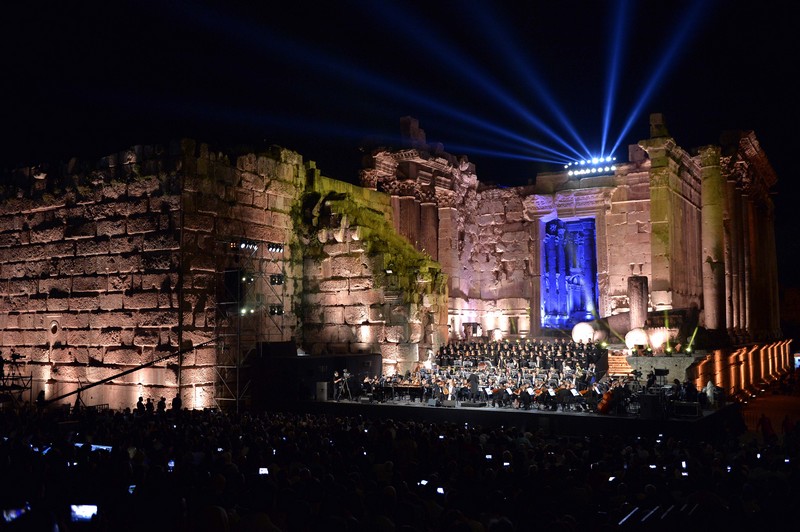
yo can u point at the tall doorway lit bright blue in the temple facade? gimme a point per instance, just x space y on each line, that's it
569 273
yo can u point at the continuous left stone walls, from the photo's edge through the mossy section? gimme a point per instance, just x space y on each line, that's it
158 272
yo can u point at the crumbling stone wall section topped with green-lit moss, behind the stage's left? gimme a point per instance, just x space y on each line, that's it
367 290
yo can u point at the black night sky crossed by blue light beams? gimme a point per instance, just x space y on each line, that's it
499 81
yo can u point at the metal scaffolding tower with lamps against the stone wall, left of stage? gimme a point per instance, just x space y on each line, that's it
251 306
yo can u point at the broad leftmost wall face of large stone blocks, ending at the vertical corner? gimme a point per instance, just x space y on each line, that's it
89 262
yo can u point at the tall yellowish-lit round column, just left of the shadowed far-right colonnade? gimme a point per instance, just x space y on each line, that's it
712 235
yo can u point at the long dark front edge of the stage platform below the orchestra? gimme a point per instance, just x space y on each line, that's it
642 419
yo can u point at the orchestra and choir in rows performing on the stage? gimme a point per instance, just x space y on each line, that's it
549 375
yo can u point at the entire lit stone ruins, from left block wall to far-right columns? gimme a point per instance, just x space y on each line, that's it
164 271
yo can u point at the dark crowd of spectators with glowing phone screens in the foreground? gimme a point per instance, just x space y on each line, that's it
179 469
